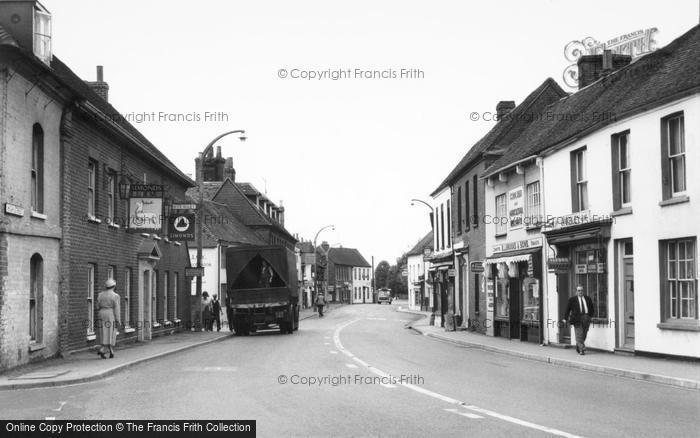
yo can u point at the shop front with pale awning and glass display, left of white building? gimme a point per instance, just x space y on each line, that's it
514 285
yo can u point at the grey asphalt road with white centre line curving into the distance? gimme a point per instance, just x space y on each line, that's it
447 390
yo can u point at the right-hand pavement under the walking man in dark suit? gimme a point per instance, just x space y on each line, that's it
679 373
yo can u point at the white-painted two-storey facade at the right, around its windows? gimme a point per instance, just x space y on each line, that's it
646 223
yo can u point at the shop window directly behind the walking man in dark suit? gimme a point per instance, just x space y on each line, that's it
590 272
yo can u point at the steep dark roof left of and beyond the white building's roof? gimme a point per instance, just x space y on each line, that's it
507 129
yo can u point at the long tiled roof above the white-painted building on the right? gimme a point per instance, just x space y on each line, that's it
663 76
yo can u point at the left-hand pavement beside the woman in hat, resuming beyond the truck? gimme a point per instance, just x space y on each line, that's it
85 366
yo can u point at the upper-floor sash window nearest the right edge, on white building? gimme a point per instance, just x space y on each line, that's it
673 155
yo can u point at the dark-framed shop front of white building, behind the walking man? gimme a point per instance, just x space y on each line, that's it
581 258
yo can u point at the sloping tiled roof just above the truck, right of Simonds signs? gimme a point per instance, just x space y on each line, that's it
221 224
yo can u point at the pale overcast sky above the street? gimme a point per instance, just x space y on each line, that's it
352 151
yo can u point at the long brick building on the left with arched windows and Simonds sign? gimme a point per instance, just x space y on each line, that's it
89 154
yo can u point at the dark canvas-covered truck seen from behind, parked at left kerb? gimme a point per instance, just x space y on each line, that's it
262 292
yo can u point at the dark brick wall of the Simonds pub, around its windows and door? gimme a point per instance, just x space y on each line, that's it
87 242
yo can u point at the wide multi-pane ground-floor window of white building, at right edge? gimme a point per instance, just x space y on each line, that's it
679 289
